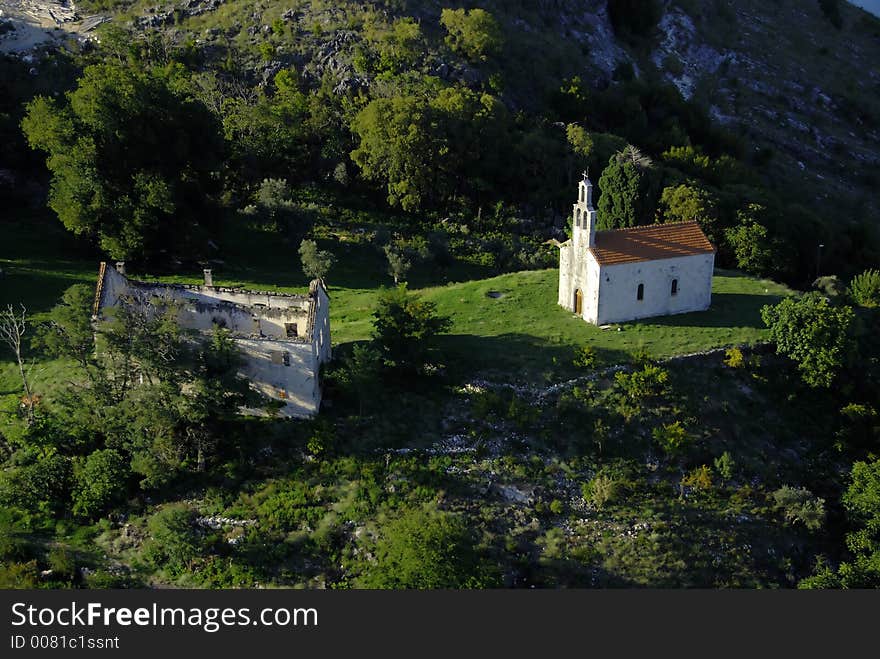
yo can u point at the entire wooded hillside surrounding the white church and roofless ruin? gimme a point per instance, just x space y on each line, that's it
371 144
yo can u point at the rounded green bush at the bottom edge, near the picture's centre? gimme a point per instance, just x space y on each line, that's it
426 549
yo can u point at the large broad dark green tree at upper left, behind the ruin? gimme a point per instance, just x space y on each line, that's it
134 158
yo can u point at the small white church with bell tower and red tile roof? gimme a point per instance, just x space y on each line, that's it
622 275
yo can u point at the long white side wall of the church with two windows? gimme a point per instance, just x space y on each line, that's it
619 287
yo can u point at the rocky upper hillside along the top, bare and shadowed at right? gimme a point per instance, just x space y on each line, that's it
802 91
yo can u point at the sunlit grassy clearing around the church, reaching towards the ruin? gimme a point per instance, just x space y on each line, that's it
525 334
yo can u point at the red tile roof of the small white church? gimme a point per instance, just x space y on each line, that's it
650 243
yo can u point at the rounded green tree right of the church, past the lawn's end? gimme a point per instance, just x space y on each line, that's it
815 334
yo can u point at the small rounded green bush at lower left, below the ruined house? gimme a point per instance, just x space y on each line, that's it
99 480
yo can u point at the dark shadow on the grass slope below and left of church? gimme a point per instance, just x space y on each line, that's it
516 357
